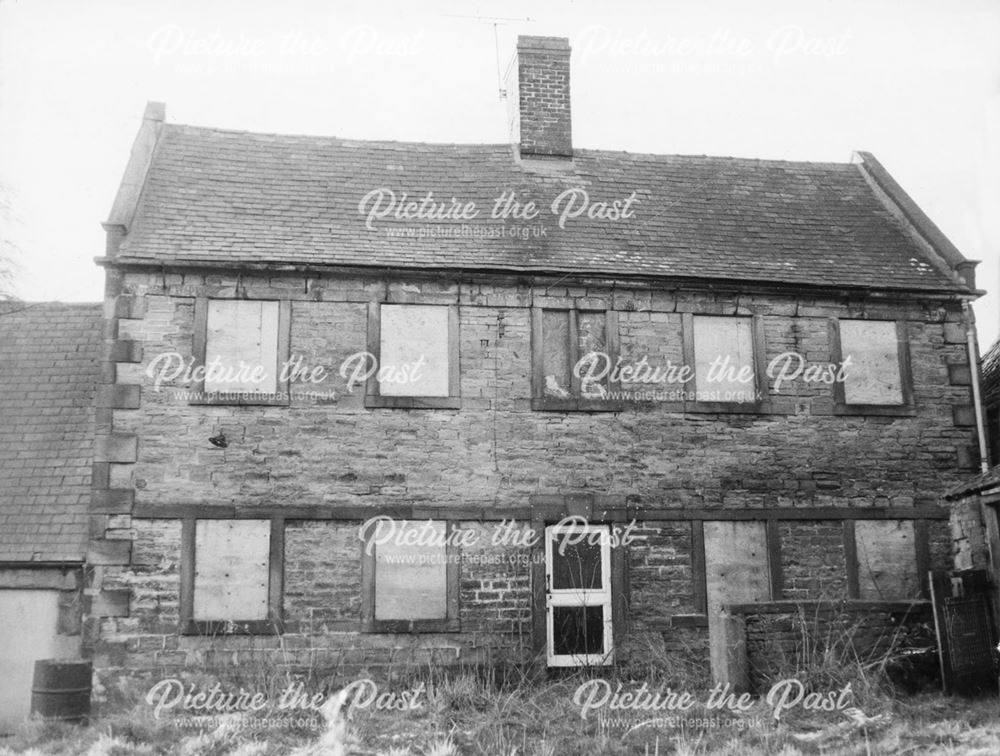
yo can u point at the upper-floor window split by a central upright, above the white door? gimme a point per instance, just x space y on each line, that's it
569 336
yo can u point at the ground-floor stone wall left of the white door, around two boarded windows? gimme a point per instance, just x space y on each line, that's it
322 612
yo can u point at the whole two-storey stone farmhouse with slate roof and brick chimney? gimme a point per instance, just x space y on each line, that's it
382 405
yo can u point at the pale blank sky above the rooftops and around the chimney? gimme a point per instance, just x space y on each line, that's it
915 83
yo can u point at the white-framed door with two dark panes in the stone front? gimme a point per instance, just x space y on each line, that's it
578 595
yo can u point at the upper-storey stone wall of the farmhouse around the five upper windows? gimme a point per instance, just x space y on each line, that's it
495 451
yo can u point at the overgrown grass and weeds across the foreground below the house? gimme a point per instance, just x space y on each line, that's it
511 712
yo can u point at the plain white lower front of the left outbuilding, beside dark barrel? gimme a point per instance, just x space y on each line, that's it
27 633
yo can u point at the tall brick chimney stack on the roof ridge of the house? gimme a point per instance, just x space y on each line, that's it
538 97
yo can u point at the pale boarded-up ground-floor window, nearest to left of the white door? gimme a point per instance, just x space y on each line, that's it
411 576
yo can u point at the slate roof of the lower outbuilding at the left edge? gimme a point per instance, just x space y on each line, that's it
49 366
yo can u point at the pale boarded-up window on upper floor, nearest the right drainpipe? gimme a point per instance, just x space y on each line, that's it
872 375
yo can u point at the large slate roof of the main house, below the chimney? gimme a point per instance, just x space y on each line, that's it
235 197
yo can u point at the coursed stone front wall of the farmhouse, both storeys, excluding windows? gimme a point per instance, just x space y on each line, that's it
326 451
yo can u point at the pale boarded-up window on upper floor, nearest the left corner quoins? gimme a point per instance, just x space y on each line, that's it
242 342
